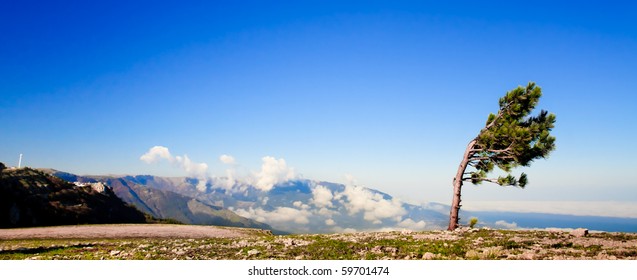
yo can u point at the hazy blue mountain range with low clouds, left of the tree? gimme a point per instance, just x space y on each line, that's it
297 206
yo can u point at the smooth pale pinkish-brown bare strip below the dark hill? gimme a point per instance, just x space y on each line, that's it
126 231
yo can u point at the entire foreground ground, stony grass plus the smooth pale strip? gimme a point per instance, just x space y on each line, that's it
188 242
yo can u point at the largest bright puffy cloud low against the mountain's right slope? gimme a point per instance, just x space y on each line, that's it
374 206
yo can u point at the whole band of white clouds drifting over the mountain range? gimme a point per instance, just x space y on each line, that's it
324 207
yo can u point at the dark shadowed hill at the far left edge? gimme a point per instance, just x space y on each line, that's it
30 198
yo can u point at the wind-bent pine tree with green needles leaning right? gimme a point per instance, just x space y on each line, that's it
509 139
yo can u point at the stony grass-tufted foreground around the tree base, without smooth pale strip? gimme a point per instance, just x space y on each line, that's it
512 245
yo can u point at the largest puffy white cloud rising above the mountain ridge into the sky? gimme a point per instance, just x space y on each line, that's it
273 171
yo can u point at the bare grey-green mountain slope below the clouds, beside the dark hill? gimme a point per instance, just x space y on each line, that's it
165 204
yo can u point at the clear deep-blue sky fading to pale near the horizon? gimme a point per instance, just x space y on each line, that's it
388 92
